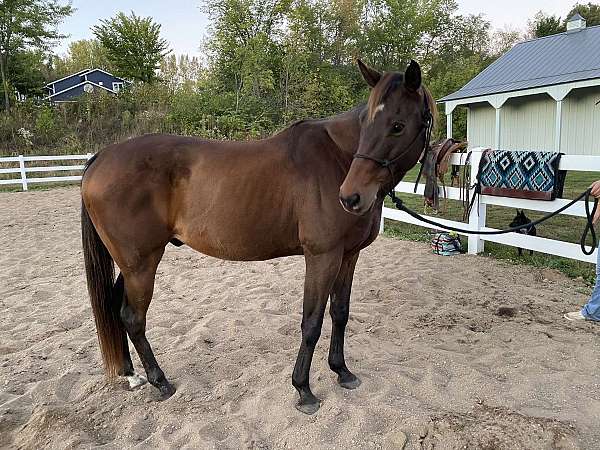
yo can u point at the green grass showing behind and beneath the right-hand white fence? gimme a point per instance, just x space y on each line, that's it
563 227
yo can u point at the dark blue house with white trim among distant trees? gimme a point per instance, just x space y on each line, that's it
86 81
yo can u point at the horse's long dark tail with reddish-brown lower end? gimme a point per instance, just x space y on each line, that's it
105 296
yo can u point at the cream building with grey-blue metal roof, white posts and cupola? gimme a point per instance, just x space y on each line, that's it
542 95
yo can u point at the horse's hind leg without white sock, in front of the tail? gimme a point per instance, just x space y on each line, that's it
139 287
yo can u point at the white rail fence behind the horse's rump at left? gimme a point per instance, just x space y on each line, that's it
22 168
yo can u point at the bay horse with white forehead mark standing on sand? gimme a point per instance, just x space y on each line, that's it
314 189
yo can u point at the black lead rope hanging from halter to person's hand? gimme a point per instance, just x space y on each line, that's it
589 226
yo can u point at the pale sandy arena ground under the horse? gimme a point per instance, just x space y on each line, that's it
441 365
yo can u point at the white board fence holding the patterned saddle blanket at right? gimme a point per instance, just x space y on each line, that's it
477 218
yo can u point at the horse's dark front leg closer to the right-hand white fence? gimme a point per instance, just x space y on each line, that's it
339 309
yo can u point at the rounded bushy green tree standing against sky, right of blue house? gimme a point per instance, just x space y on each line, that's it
133 45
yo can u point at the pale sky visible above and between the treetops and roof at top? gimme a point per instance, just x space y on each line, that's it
184 24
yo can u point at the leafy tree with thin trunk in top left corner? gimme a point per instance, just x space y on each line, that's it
27 24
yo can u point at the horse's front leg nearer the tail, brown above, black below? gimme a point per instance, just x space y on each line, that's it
321 272
